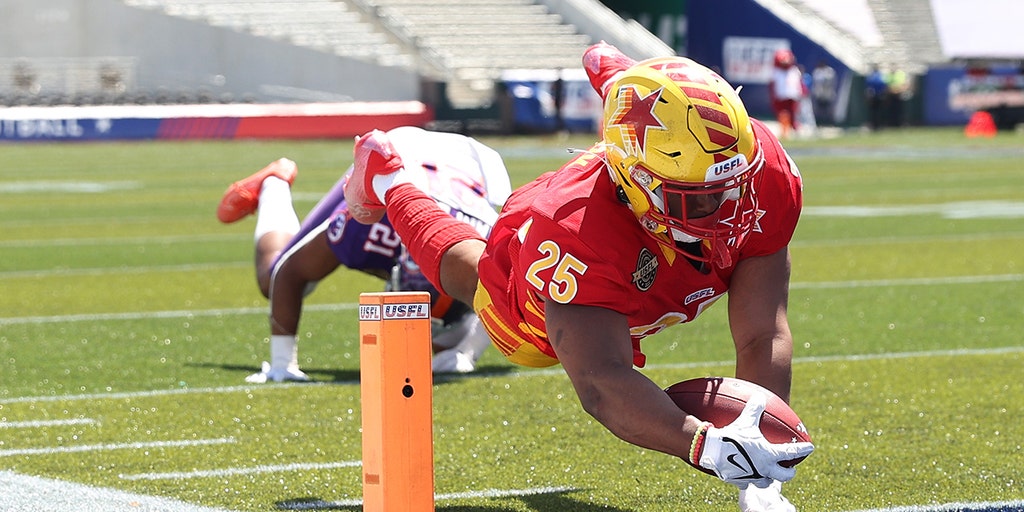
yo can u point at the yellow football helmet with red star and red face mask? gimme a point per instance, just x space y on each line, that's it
681 148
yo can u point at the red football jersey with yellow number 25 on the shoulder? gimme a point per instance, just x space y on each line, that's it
568 238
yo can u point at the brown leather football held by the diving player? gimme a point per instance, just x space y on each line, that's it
720 400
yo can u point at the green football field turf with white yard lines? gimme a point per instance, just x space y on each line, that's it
130 319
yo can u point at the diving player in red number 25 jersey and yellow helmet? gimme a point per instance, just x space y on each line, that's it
686 199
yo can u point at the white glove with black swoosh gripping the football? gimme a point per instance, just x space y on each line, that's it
740 455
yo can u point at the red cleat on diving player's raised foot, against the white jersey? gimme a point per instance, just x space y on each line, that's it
375 158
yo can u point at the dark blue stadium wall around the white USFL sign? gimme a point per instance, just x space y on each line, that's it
710 23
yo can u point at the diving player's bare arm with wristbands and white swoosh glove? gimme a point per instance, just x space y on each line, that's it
595 350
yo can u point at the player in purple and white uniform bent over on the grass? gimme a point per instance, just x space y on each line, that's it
464 177
